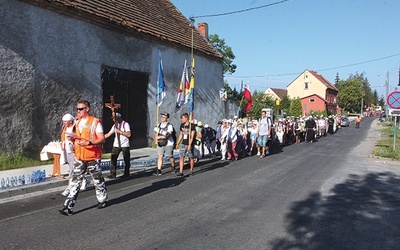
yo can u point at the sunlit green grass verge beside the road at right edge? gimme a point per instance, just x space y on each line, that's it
384 147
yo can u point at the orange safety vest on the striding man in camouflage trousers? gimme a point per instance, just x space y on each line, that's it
91 152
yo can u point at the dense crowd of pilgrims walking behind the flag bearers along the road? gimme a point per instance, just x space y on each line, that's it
236 138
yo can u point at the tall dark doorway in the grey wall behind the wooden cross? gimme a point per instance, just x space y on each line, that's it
129 89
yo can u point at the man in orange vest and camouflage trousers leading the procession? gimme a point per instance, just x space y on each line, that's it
88 151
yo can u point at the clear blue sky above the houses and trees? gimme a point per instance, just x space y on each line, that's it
273 45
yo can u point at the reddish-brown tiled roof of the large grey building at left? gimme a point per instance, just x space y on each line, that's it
156 20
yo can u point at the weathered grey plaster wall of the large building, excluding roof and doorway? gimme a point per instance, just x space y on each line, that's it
50 61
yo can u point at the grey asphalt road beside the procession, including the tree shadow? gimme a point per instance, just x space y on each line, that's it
326 195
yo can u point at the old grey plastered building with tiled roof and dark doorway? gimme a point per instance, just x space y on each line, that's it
56 52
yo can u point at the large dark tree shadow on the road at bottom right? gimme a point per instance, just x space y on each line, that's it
361 213
